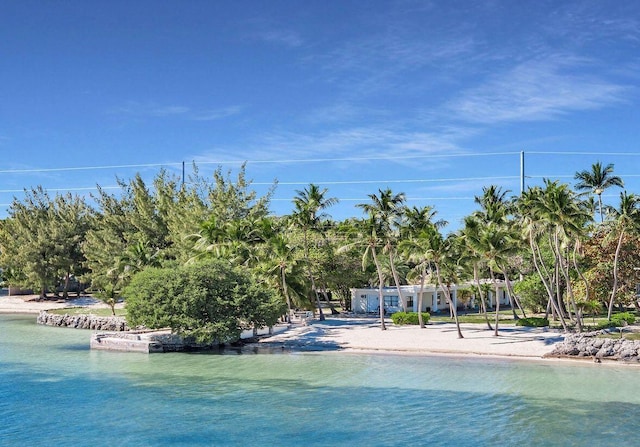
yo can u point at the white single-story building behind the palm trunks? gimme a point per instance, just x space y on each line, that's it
367 300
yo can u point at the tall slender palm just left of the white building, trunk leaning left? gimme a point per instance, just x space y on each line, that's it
310 204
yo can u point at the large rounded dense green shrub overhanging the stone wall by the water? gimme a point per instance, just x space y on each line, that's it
209 301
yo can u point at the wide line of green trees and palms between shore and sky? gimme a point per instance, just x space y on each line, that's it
557 248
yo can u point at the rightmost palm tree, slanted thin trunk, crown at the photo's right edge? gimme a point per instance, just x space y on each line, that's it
624 219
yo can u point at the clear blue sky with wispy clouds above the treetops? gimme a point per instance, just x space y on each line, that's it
434 99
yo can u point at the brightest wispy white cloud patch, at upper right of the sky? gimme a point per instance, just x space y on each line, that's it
536 90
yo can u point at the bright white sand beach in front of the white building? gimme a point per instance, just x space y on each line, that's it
437 338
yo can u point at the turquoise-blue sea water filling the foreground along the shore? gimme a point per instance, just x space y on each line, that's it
55 391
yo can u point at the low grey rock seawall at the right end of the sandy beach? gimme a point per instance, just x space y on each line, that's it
588 345
